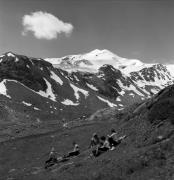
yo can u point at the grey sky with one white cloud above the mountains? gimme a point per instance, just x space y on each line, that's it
142 29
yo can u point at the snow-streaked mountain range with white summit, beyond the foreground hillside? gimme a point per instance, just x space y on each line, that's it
115 82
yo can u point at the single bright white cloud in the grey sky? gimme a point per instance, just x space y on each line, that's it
45 25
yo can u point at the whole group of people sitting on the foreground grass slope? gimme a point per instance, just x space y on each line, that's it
98 146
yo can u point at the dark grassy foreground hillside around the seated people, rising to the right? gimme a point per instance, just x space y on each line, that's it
146 153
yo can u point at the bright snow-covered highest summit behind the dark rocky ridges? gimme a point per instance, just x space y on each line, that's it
93 60
